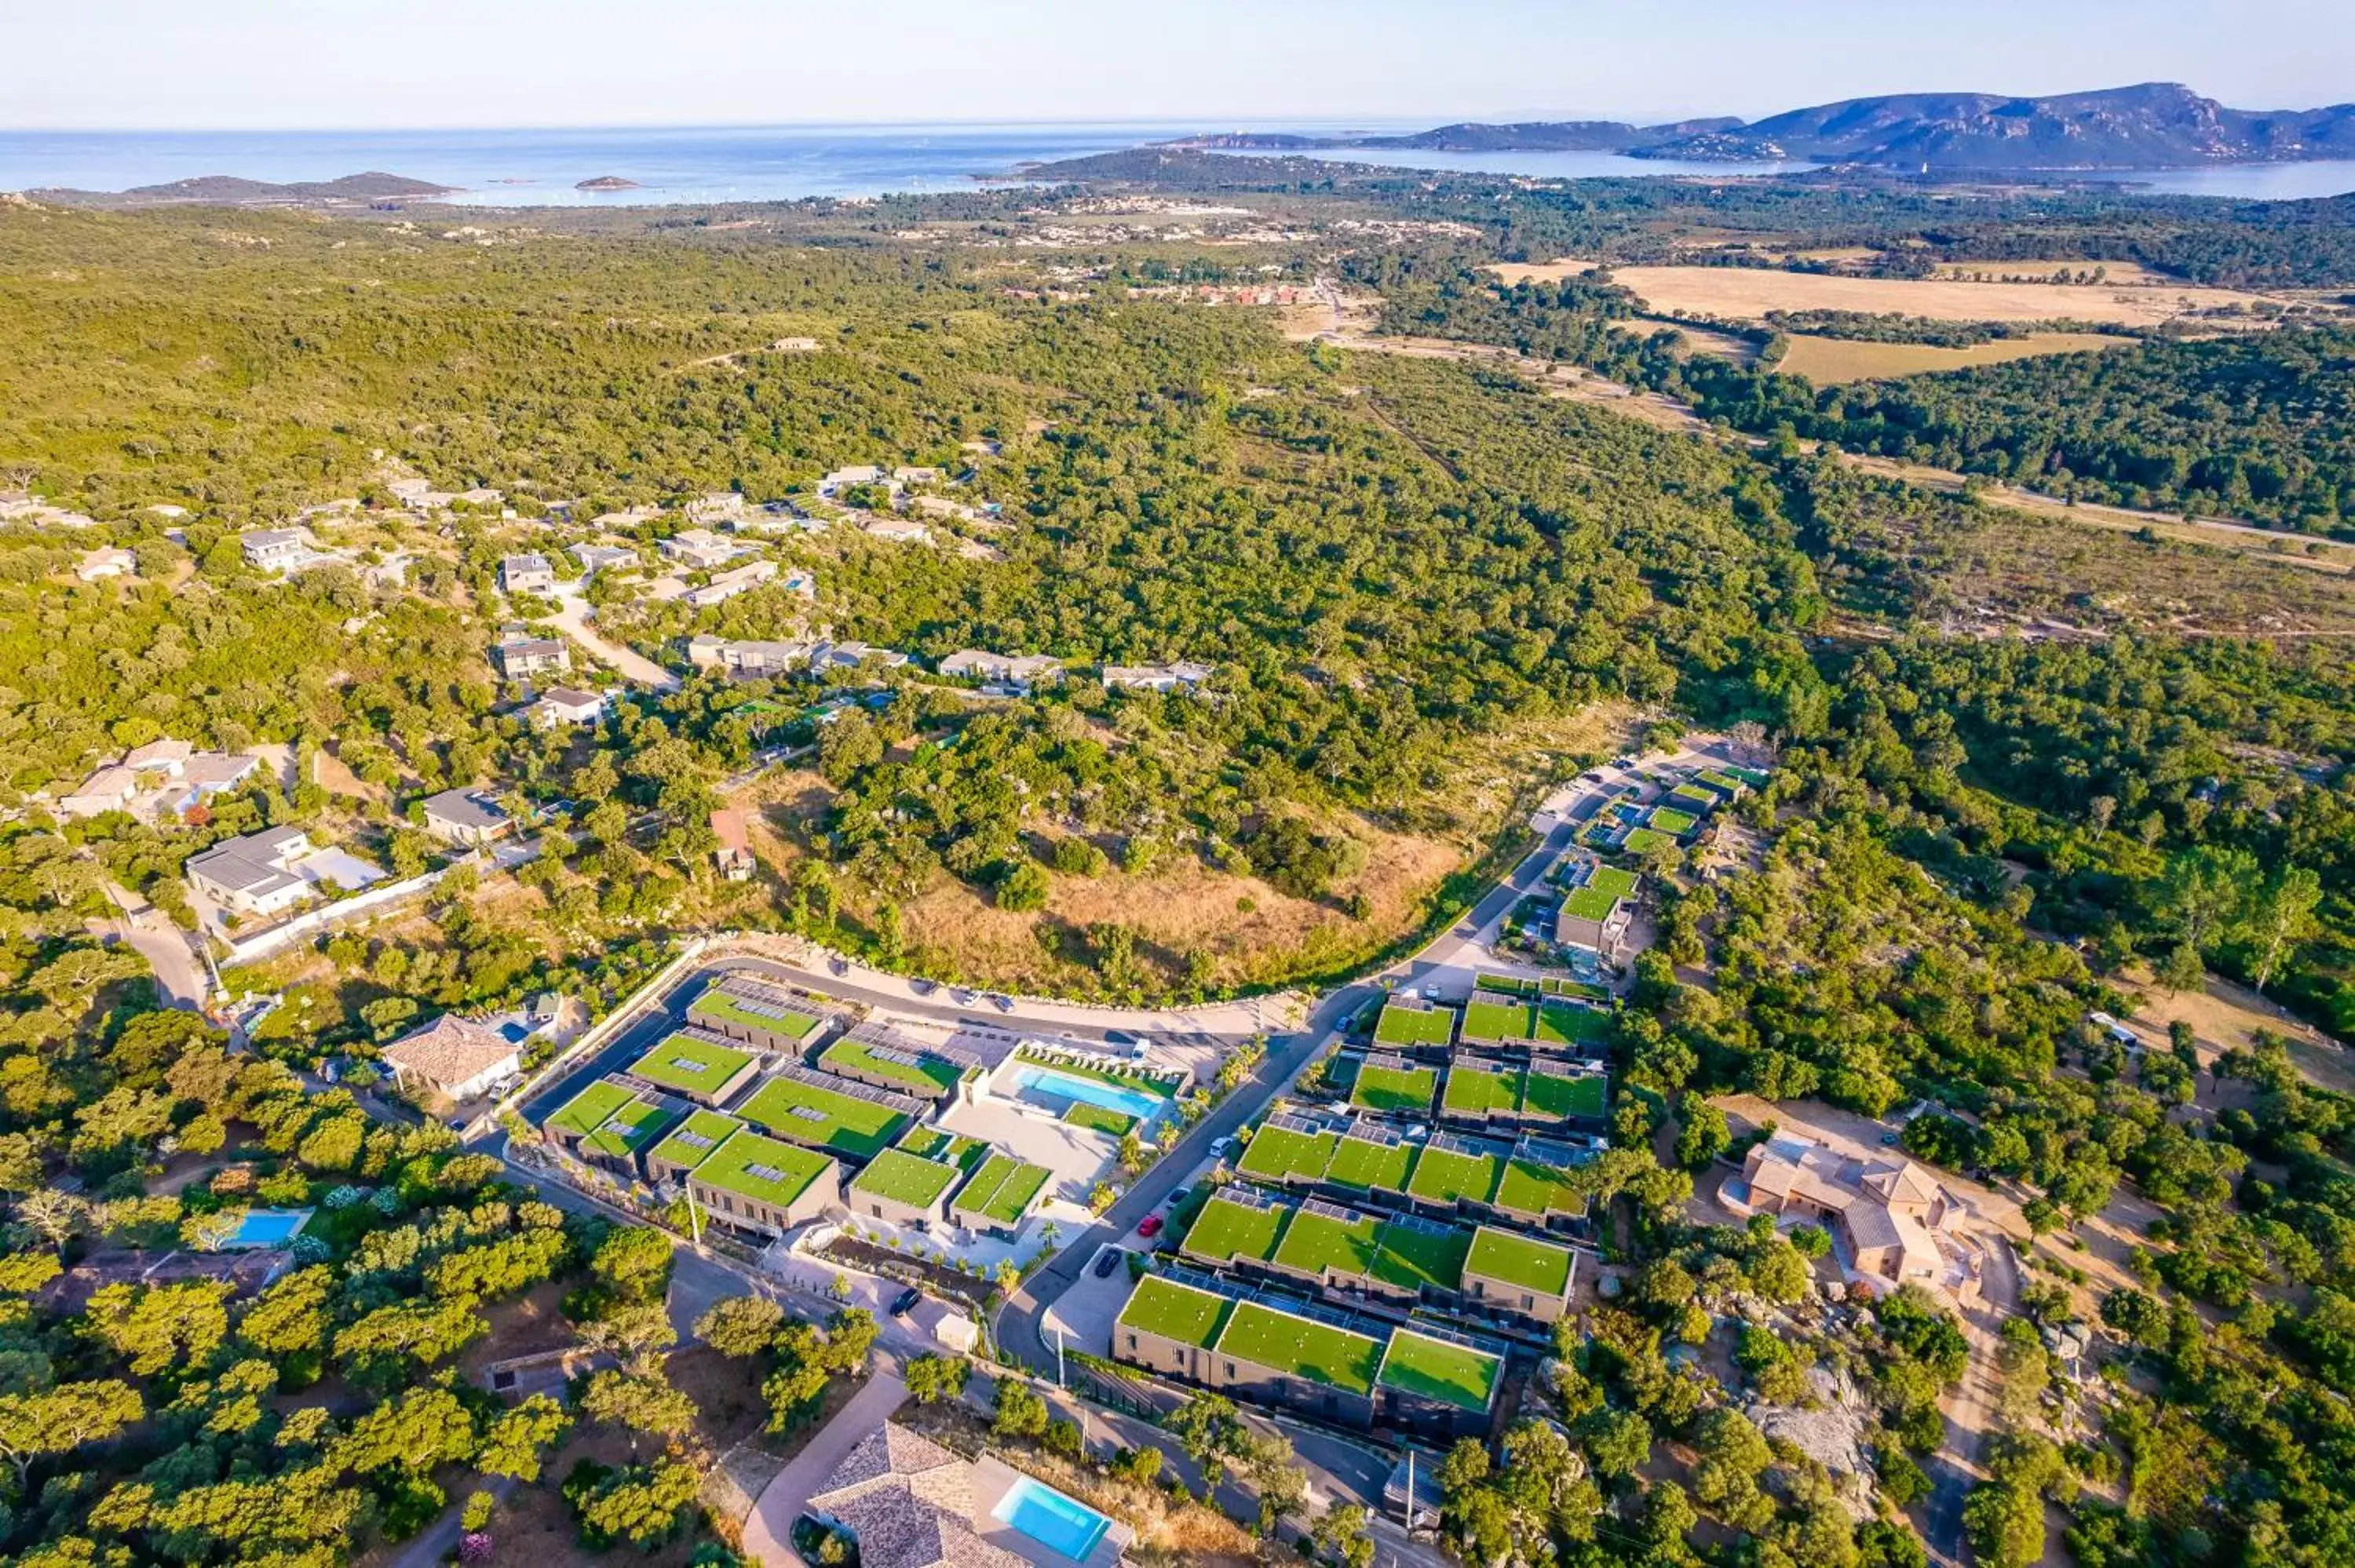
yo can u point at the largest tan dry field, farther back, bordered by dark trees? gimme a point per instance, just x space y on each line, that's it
1744 293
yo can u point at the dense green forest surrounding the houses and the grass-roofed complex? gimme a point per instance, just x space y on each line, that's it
1968 846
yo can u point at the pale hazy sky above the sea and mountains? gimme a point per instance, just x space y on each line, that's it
1214 62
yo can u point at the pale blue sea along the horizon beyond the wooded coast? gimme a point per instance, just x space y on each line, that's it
757 164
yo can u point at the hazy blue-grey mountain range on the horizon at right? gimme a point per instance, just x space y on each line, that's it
2158 126
